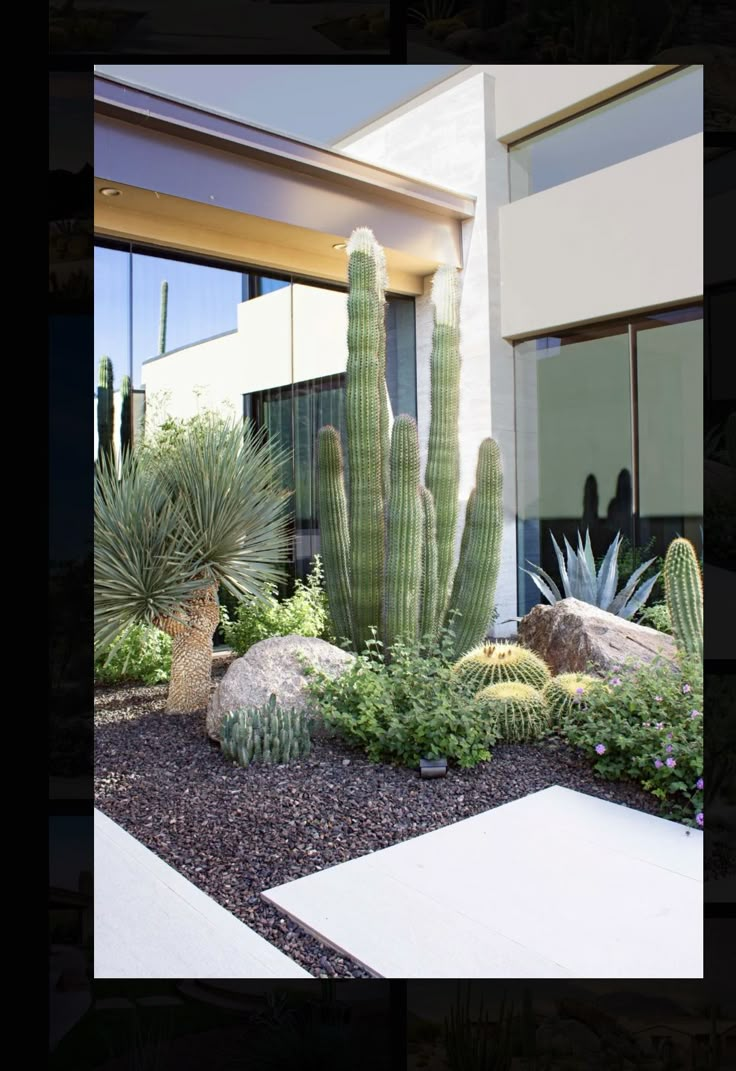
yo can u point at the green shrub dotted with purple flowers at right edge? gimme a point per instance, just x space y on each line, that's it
647 723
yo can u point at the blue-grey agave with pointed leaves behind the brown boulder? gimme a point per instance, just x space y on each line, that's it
580 580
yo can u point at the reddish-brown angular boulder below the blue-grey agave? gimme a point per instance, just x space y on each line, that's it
573 633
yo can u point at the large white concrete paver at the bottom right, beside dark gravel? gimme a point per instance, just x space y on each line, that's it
558 884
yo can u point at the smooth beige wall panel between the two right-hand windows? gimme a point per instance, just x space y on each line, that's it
625 238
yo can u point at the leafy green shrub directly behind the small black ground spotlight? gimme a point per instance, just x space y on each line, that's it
412 708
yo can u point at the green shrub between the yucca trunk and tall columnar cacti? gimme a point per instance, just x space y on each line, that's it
305 614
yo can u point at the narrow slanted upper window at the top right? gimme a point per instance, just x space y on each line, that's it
649 118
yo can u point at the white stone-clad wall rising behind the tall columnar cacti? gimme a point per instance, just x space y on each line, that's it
448 139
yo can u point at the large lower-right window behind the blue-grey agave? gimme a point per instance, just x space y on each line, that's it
609 438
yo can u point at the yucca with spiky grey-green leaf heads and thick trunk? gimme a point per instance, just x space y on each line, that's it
205 512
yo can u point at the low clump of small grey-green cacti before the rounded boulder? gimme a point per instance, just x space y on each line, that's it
268 734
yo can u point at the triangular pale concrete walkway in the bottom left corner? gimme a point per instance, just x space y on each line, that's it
152 923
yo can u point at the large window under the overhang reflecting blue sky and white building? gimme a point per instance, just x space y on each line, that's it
241 342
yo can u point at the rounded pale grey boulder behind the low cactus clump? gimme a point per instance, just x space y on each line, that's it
273 668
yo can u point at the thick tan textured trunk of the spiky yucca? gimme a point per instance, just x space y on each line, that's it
189 690
